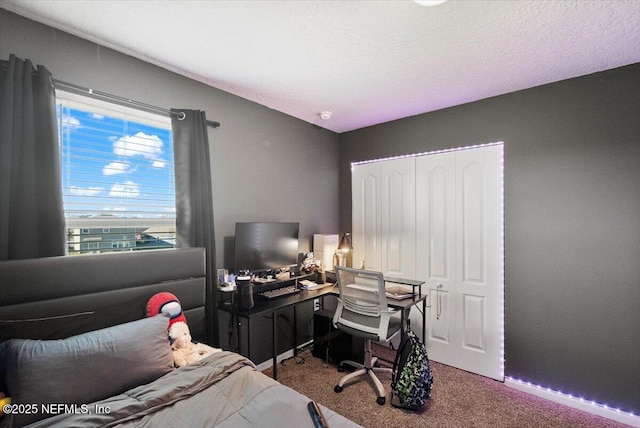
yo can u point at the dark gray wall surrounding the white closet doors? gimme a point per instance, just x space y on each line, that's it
572 223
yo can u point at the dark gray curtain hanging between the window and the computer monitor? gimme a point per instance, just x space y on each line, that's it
194 200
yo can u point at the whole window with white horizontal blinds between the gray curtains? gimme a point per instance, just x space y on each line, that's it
117 176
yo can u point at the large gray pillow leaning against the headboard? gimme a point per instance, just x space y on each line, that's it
84 368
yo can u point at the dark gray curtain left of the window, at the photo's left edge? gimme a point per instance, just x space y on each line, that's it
31 212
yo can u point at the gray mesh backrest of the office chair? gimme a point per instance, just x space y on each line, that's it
362 306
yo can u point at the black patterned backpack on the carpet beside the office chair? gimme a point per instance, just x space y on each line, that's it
411 380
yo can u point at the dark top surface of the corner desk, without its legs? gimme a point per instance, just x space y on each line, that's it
264 306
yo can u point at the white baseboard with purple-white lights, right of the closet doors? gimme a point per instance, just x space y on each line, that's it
575 402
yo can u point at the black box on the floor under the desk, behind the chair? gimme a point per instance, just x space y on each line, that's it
331 344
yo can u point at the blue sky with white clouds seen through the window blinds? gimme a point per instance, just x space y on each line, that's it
115 166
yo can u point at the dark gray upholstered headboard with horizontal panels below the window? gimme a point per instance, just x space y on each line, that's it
57 297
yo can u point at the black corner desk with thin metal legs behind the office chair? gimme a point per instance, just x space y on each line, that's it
271 306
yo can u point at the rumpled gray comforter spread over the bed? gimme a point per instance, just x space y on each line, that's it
222 390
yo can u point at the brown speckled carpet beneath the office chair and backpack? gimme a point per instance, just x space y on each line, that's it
458 399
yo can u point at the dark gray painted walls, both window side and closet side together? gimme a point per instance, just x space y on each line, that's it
572 194
